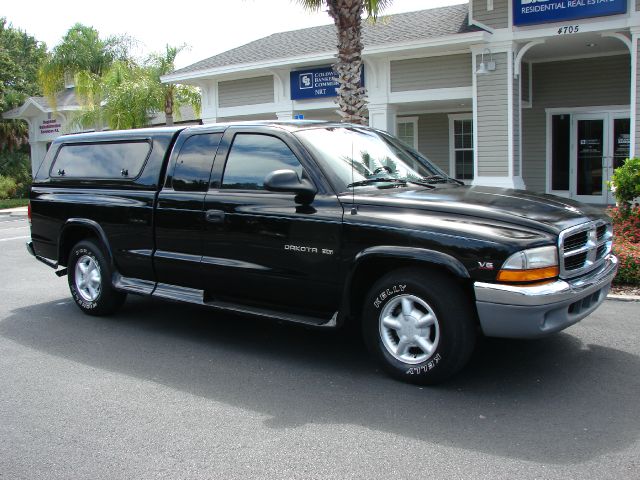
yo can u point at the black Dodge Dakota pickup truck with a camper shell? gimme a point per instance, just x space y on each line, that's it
317 223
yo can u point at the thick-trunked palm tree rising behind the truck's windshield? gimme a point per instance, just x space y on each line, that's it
347 17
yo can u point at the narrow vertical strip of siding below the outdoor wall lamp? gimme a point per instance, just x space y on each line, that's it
492 125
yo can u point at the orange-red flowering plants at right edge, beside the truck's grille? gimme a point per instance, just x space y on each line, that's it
626 244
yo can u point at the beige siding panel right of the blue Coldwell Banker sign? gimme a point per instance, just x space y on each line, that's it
432 72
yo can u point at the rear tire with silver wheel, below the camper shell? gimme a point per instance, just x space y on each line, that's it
90 280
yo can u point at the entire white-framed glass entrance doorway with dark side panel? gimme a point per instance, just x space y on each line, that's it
584 149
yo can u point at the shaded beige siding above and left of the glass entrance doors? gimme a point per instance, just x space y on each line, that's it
570 83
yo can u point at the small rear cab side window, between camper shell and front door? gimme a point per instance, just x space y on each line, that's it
193 165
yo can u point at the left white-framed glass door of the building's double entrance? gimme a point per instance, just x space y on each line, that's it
589 167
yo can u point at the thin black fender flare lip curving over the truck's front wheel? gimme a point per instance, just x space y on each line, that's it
420 255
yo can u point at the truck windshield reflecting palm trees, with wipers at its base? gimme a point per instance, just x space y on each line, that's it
361 157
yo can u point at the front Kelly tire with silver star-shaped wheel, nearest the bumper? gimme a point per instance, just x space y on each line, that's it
420 325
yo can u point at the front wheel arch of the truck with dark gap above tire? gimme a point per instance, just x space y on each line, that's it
374 262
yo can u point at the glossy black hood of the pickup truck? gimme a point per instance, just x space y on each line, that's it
546 212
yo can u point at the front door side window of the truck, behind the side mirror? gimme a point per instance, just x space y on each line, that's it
252 157
